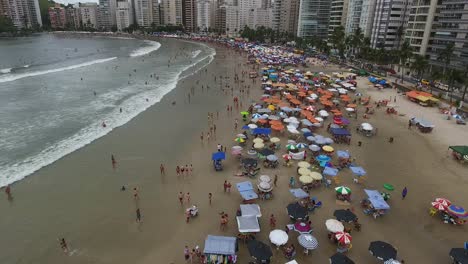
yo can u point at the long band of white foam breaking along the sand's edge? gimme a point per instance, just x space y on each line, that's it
134 106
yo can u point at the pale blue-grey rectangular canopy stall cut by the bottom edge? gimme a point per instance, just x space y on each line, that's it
220 249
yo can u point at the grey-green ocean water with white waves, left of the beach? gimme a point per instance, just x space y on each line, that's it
57 91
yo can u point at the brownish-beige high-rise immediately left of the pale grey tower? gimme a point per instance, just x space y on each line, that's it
285 16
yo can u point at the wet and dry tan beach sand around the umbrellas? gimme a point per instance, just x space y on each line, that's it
79 197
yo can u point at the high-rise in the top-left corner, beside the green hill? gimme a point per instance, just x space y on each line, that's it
23 13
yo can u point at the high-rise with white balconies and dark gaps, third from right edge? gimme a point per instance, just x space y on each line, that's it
390 18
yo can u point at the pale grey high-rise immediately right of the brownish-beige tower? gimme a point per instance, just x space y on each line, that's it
313 18
